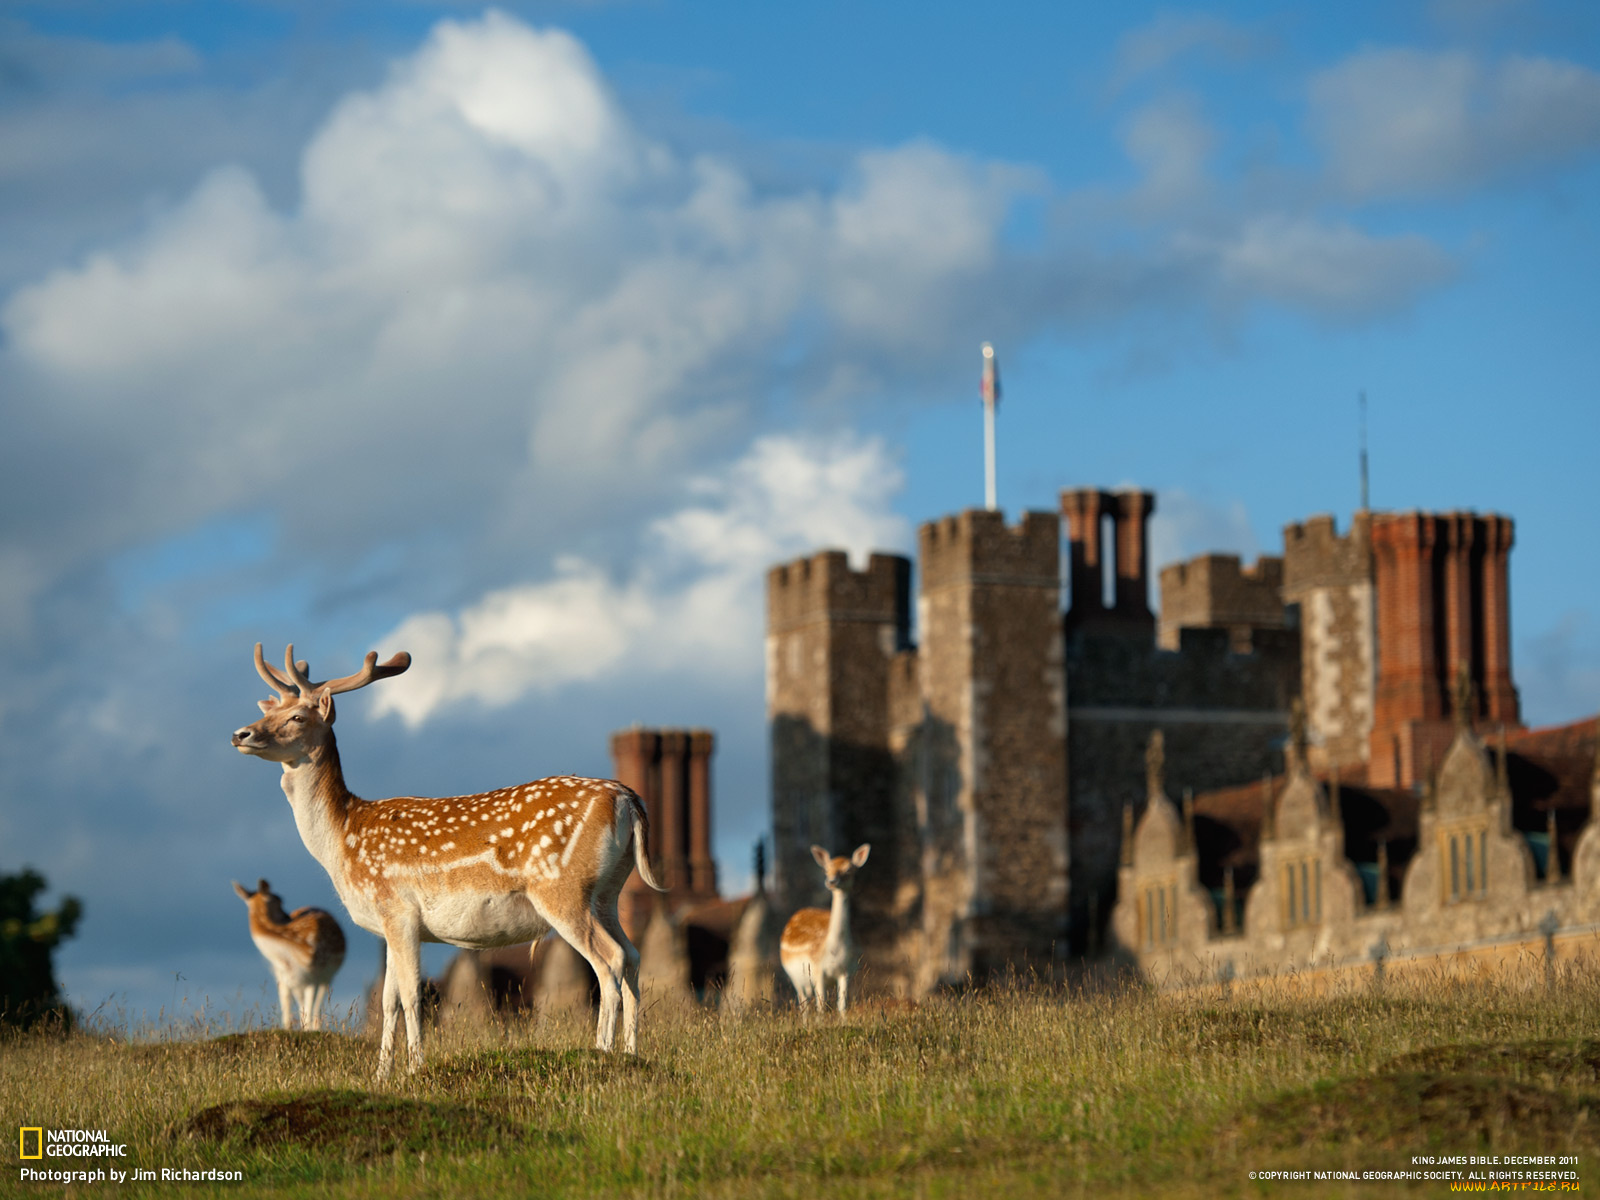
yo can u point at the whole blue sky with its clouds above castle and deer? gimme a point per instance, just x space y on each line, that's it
527 338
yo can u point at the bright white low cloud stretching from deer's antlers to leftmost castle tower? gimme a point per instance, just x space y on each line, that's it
692 607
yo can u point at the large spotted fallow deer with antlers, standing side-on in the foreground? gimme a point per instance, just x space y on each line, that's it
473 871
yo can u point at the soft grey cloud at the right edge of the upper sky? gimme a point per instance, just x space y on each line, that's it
1409 122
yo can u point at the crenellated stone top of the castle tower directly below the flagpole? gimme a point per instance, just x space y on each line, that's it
978 546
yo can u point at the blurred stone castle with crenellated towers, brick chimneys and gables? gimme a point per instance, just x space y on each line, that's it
1010 769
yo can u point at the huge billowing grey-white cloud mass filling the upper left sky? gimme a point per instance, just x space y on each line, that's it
495 300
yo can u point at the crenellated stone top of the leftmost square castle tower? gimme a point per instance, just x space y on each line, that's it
825 588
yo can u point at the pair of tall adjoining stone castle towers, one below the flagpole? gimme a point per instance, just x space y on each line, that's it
950 758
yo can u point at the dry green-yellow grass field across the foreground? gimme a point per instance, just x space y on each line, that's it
1012 1094
